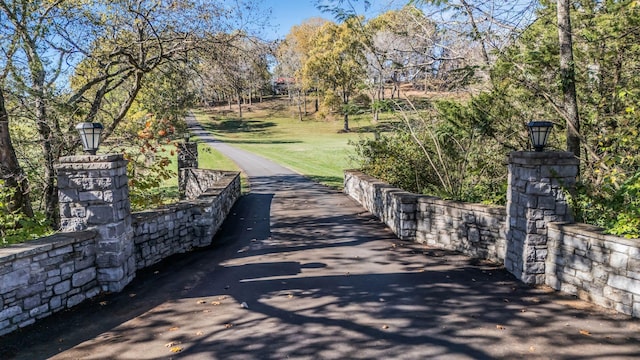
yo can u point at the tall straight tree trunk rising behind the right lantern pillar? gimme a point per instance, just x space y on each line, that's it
567 72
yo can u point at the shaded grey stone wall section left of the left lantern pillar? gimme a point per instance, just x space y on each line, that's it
44 276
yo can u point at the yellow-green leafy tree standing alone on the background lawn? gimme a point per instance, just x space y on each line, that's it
336 62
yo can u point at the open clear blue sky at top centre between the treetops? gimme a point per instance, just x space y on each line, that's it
287 13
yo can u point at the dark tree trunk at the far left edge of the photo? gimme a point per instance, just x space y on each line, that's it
10 170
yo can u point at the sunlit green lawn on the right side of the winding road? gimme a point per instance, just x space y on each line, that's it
315 148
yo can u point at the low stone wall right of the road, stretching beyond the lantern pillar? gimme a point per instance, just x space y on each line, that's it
474 229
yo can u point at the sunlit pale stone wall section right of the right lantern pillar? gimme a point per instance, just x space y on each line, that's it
596 267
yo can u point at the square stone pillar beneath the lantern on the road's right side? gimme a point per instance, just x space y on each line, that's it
538 182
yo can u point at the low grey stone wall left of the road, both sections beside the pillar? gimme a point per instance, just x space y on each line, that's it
57 272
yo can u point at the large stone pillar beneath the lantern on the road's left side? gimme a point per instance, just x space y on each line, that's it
94 193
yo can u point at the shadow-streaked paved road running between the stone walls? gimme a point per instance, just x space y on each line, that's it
302 272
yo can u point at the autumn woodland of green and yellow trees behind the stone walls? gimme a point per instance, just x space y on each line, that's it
478 72
